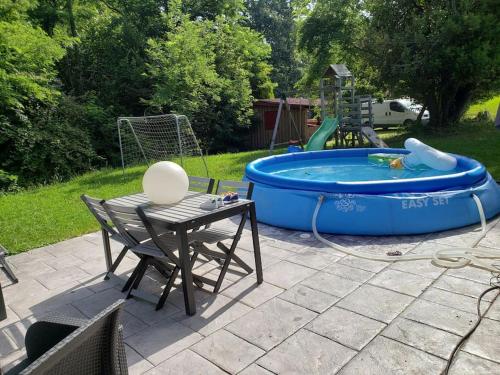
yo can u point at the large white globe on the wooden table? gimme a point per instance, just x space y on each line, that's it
165 183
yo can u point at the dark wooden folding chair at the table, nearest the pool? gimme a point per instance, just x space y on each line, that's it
210 235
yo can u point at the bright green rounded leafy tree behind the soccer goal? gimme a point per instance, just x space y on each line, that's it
210 70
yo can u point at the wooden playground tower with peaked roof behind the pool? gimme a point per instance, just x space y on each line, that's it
354 112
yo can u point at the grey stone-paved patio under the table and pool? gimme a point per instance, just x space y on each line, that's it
318 311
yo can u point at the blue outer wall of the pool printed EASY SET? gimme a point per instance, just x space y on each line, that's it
382 213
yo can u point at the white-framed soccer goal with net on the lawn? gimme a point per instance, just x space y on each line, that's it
153 138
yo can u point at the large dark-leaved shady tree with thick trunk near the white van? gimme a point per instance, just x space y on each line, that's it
444 53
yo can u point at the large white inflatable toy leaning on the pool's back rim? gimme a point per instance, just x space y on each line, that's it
422 154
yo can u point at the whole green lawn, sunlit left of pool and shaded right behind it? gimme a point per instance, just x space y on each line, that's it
53 213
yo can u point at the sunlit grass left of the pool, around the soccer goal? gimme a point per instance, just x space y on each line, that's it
52 213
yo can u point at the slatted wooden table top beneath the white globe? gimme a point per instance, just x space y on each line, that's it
185 210
